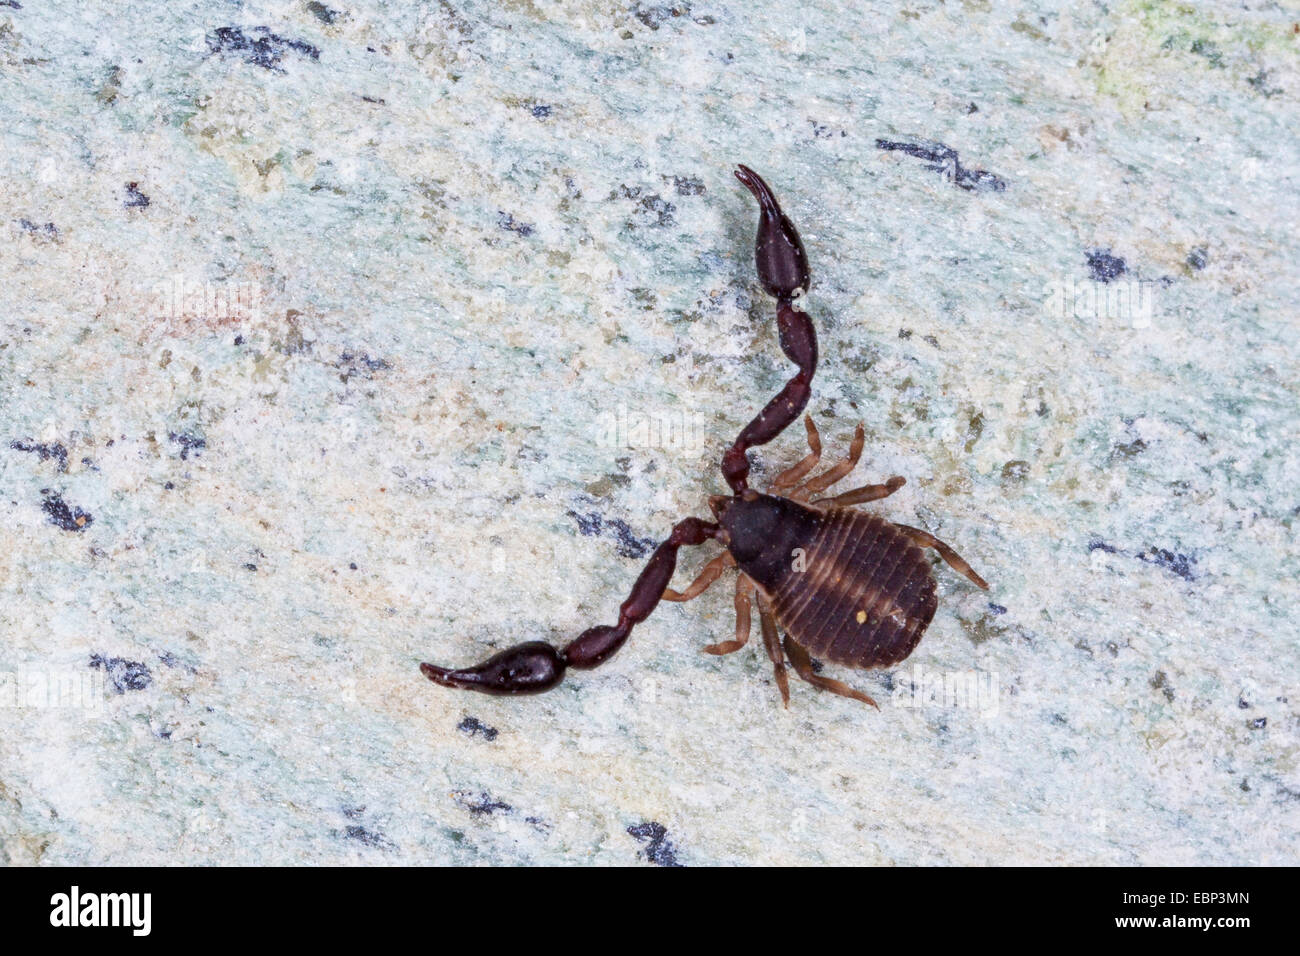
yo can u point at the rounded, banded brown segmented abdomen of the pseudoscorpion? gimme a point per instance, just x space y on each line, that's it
865 596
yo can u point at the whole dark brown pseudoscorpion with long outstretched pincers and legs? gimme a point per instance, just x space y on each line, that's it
846 586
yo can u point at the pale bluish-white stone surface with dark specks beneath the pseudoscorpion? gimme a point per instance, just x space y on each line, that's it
339 338
